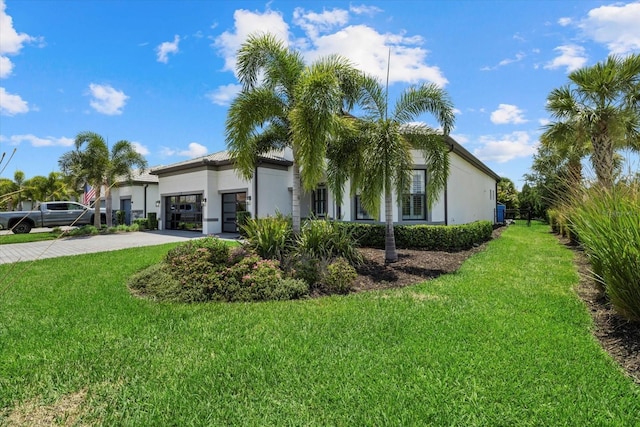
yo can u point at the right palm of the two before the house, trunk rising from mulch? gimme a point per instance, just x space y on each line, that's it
377 153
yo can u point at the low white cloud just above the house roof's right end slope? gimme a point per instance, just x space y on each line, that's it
505 148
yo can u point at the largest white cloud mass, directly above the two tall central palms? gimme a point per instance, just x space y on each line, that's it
326 34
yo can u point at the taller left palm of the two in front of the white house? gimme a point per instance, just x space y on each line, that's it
284 103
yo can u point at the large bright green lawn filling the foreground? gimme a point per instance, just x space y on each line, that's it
504 341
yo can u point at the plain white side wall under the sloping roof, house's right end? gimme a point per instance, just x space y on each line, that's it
470 193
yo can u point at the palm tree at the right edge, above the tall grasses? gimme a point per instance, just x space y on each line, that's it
599 109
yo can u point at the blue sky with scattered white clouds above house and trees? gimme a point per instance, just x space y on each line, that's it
161 73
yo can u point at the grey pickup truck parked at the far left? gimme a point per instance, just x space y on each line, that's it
49 214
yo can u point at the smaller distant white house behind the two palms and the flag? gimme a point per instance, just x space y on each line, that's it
136 197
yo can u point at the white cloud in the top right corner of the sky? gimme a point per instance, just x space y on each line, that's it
617 26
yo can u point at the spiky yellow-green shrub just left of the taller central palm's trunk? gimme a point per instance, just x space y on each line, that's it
268 237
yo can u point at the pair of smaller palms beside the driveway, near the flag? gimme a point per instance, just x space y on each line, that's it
97 166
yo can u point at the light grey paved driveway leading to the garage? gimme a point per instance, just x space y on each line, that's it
89 244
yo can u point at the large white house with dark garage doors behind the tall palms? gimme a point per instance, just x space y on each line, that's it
204 194
